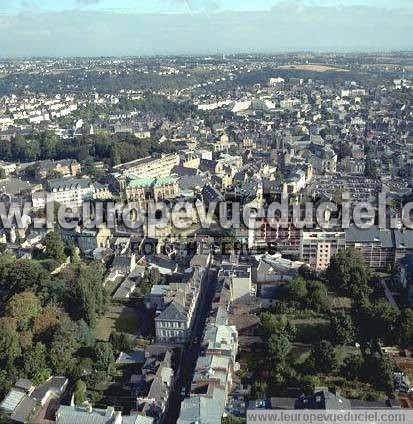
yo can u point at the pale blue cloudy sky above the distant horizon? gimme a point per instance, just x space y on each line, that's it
150 27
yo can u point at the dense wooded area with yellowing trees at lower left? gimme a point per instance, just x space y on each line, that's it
48 321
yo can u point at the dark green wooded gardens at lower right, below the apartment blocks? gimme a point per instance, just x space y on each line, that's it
311 341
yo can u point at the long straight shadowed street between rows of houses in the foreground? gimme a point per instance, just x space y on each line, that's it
192 349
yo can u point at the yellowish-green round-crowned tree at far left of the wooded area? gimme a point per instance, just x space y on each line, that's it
24 307
